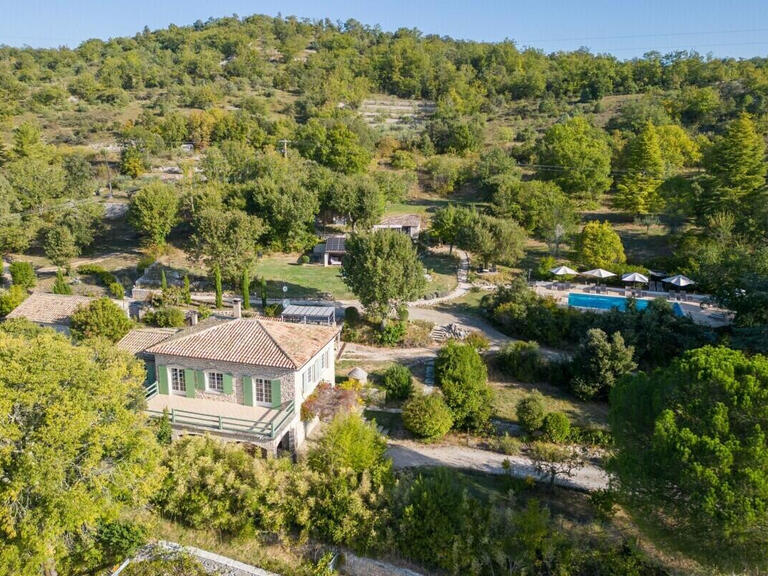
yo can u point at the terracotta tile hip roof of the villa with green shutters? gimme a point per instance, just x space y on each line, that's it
253 341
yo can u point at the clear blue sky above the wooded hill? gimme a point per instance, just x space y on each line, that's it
625 28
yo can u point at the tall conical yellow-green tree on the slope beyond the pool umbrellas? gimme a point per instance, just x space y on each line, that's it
638 188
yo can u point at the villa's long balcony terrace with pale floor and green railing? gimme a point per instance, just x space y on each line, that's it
259 422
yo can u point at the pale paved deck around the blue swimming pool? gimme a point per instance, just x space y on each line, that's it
692 305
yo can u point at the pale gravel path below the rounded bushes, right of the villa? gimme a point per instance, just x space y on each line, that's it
407 454
